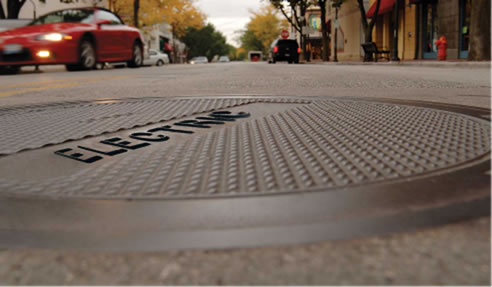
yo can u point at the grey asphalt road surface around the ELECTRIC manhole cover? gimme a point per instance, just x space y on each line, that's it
455 254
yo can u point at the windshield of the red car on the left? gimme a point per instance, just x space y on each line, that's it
66 16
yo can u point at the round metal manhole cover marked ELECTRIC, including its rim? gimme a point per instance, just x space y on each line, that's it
157 173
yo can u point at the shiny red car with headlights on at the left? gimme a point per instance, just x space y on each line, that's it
77 38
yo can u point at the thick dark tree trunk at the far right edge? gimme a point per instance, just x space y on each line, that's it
480 31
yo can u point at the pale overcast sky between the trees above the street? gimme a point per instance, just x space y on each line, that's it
228 16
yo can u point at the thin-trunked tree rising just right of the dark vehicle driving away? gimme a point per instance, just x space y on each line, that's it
299 20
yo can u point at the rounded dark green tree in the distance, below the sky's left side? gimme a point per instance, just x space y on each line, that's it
205 41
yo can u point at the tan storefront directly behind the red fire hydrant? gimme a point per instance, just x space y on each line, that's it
421 23
